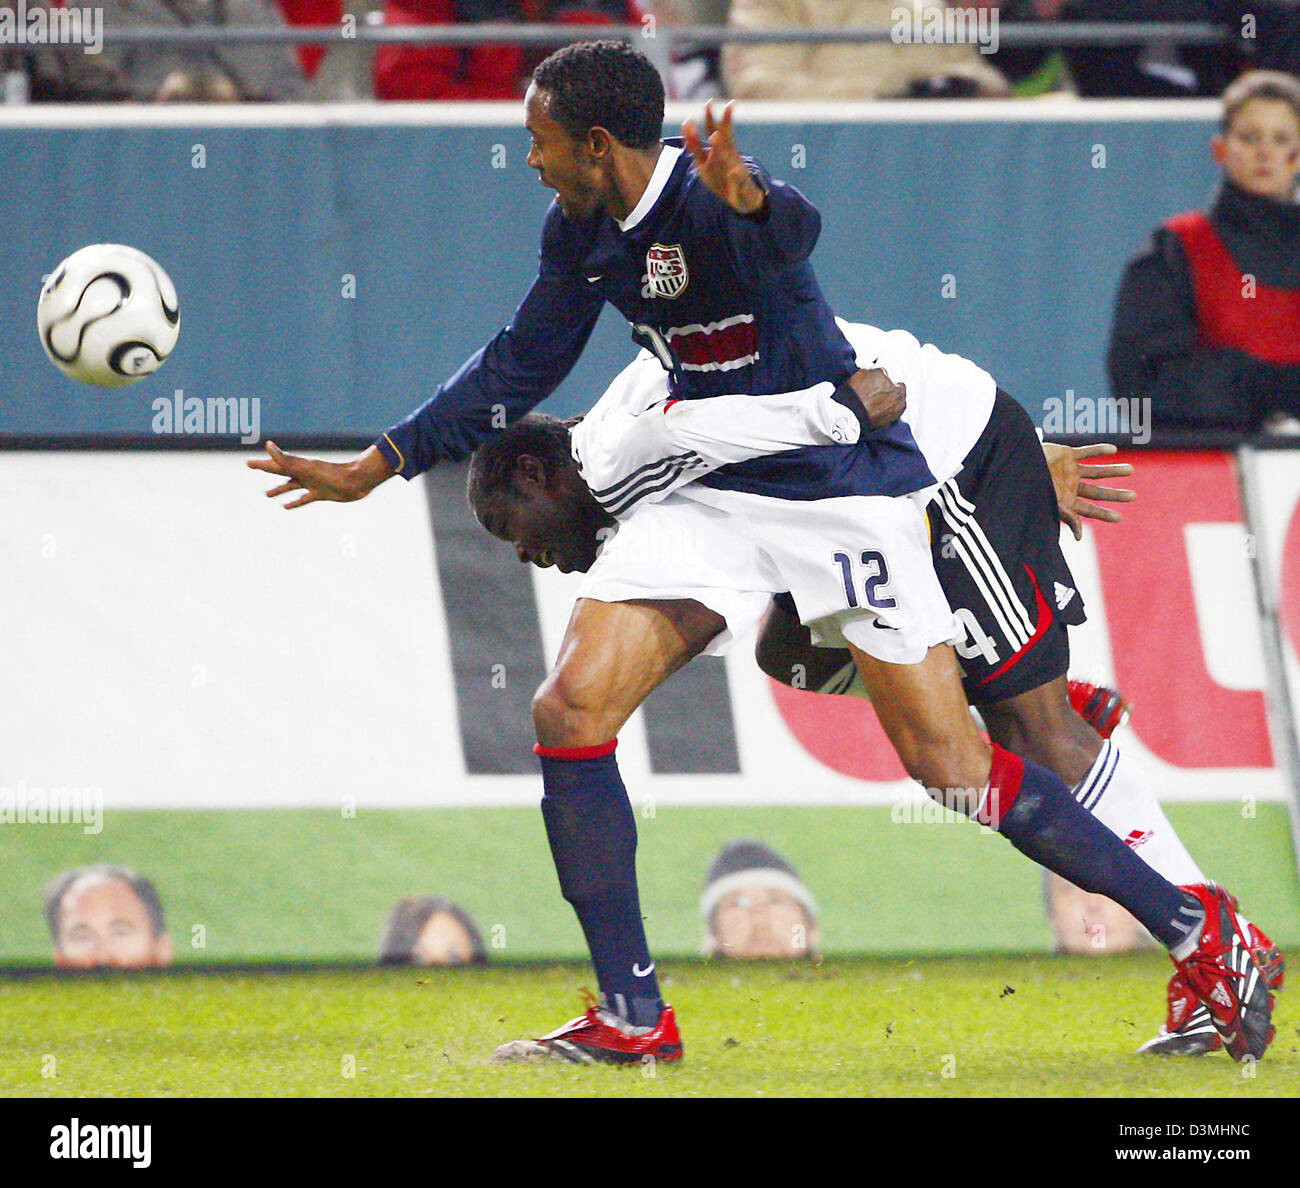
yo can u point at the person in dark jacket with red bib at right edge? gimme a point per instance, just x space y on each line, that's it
1207 324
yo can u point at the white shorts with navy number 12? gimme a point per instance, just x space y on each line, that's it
859 567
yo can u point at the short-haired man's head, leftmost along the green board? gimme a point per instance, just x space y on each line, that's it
107 917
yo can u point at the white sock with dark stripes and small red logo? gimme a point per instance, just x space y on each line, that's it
1119 795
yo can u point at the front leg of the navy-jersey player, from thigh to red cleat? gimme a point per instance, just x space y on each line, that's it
612 658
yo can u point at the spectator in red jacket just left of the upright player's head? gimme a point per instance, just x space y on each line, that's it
479 72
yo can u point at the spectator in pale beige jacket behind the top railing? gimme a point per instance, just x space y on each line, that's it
850 71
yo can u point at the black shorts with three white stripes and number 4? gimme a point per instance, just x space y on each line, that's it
996 541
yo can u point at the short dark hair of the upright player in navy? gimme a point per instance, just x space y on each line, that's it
608 85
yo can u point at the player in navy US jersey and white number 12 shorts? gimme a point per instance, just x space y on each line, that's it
708 258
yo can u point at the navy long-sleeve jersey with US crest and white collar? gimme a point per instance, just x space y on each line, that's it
729 303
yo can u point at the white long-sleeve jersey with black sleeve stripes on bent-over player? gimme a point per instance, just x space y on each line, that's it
638 446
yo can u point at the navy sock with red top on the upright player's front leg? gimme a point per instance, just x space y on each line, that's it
593 836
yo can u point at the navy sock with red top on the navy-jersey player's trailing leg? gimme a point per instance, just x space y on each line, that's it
1034 810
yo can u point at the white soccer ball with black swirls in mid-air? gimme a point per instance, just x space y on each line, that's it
109 315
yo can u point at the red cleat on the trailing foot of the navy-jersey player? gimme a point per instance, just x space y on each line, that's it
1227 981
